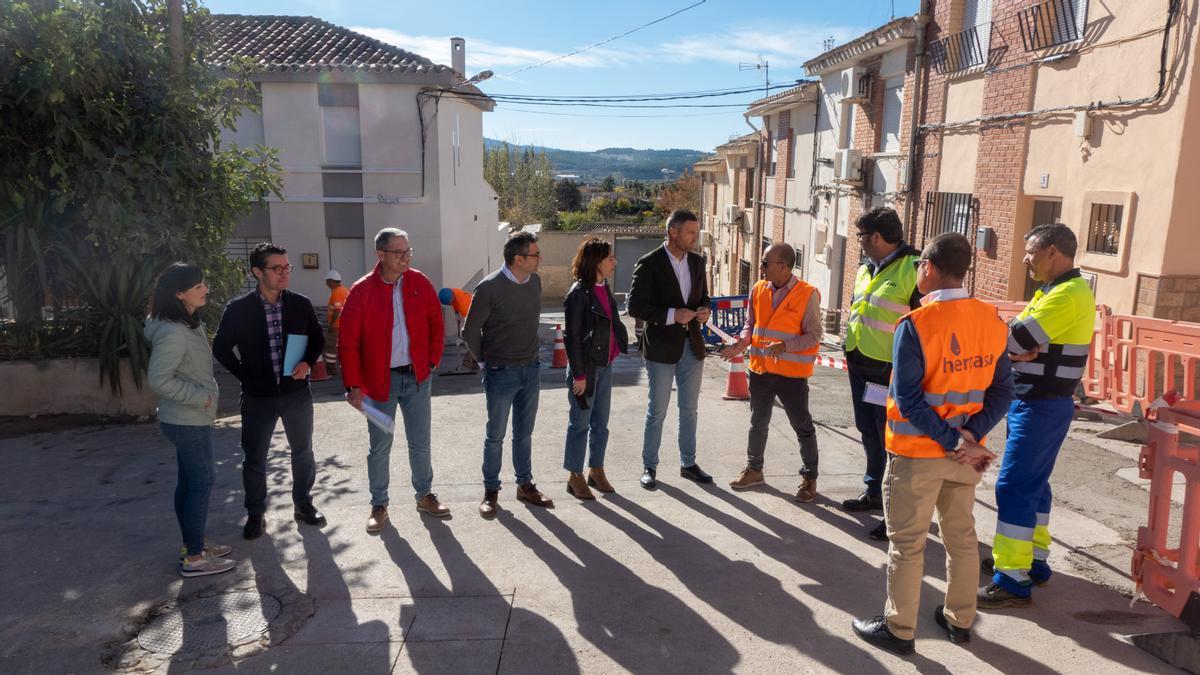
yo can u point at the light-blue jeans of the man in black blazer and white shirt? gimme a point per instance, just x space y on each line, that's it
687 375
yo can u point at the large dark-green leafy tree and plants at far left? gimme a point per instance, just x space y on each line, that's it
111 164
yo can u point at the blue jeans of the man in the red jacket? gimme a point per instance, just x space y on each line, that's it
415 409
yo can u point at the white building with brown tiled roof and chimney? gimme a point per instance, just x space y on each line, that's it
370 136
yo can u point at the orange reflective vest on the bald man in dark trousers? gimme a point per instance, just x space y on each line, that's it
775 325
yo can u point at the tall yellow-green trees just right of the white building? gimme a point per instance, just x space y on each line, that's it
525 186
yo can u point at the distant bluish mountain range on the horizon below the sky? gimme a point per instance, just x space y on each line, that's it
622 164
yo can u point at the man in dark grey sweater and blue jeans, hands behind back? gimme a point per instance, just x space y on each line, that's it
502 333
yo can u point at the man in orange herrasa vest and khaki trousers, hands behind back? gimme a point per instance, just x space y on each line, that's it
951 386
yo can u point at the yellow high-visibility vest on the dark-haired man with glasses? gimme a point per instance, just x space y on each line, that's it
878 304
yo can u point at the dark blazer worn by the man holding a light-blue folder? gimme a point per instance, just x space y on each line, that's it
244 326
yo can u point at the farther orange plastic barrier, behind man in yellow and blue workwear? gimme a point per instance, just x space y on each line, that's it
1148 359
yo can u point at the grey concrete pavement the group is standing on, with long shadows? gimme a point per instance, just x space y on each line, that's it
687 578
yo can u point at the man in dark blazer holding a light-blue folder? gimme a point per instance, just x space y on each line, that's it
260 325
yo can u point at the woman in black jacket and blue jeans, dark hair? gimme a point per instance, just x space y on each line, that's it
595 337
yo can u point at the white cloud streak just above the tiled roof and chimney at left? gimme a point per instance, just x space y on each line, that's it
483 55
